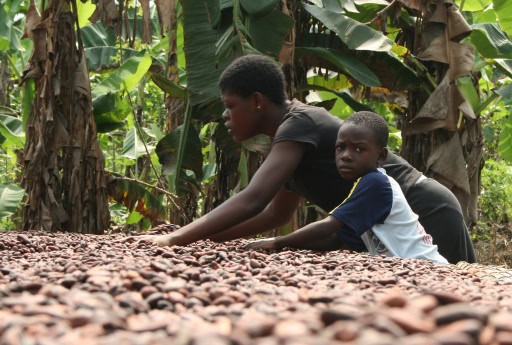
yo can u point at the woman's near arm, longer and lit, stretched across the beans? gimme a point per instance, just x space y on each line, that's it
277 168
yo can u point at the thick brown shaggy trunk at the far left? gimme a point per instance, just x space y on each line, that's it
63 164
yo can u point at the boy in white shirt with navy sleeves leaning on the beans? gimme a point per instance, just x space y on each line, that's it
375 210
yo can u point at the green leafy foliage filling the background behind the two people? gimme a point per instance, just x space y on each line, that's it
156 102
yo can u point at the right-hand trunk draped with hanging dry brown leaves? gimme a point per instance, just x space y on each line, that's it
442 133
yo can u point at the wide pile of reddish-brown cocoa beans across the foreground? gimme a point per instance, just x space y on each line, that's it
62 288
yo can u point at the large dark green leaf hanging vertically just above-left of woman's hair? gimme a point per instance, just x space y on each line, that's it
202 71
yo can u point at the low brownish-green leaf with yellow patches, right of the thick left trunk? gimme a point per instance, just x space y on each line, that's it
136 197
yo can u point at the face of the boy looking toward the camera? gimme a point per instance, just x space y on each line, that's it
357 151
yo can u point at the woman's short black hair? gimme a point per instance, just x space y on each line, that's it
254 73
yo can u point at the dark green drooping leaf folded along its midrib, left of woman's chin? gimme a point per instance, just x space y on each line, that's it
167 151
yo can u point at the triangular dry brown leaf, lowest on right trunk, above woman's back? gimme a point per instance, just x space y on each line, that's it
448 161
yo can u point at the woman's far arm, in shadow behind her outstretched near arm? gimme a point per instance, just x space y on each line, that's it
277 213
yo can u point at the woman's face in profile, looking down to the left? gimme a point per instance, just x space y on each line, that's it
241 116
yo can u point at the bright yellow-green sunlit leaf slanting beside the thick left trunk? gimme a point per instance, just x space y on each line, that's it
126 77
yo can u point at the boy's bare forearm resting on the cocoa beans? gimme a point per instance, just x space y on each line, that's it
303 238
